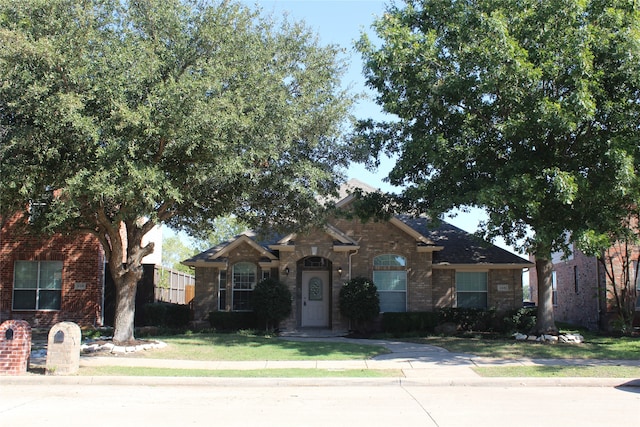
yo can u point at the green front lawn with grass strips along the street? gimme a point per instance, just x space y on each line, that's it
247 347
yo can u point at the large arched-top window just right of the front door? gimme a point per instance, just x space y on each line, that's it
390 277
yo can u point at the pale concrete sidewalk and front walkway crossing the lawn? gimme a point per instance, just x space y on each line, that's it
419 363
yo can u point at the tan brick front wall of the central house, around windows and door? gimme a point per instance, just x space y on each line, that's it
428 287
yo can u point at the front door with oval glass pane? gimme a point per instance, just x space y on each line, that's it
315 299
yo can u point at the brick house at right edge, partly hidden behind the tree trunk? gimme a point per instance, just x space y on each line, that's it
581 290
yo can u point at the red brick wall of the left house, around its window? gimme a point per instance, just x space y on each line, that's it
82 274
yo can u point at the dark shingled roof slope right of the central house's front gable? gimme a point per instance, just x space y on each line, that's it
460 247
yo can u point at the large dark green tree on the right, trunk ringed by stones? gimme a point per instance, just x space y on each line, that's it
529 109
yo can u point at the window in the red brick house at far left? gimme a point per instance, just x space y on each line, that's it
37 285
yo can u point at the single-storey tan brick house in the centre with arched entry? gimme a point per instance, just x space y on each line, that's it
415 265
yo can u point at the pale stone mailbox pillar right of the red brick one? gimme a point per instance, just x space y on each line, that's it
63 349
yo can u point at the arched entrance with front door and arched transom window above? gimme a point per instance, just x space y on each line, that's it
314 292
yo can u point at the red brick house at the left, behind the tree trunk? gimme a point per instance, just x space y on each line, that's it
46 280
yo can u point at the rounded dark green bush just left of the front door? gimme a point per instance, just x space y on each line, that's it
271 303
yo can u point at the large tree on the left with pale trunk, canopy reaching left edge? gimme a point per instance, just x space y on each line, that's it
128 114
